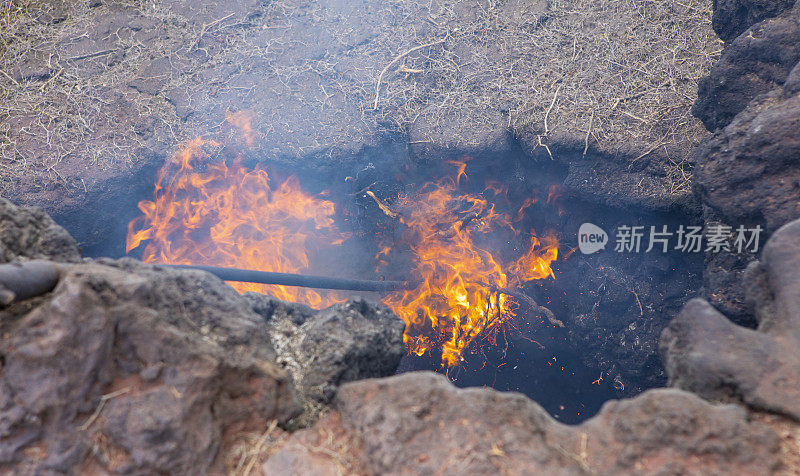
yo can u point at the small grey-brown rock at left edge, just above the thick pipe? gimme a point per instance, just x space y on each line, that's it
29 233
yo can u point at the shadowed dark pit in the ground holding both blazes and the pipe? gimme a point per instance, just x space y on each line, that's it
477 255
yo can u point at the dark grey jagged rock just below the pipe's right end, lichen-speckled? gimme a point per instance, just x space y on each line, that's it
349 341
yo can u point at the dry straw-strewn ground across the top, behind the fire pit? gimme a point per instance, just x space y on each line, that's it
613 73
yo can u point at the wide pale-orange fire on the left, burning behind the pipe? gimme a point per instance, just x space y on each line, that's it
208 212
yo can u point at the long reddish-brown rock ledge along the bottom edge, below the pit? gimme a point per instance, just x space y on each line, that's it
418 423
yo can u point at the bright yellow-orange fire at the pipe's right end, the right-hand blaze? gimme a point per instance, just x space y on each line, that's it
458 296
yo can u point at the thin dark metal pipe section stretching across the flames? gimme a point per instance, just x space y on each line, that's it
288 279
